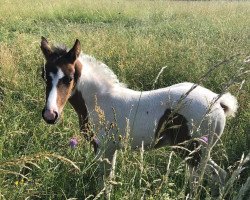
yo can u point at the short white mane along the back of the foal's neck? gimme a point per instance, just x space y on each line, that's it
101 70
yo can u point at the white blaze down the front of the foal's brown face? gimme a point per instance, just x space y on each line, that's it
52 98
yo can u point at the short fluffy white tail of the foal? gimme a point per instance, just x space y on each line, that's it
229 104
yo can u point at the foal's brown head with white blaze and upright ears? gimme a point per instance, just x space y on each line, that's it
60 73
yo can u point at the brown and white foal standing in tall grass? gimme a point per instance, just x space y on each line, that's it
169 116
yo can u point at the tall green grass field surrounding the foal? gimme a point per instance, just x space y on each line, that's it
135 39
